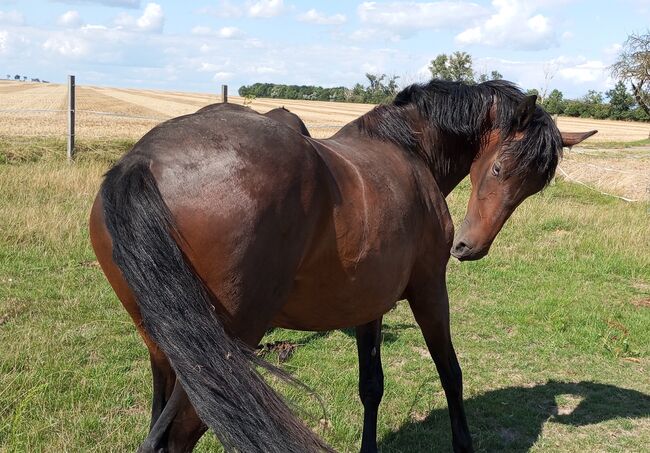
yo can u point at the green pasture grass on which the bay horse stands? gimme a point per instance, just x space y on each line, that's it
552 330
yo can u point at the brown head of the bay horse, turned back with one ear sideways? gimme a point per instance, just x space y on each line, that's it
515 161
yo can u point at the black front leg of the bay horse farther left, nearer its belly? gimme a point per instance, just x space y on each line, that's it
371 380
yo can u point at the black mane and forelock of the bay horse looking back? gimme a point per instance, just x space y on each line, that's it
458 110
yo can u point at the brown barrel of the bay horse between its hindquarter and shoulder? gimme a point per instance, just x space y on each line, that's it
357 266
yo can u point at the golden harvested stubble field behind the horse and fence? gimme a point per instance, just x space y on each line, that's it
134 112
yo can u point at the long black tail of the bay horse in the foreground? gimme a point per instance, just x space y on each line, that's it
217 372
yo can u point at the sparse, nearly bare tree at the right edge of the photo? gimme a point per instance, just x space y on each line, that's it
633 66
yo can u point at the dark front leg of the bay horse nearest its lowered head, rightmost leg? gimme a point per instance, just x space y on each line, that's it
430 305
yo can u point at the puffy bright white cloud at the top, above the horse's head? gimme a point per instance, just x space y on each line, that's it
514 24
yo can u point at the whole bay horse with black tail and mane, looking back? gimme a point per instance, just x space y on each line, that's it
221 224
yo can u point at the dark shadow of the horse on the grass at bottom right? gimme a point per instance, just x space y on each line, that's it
511 419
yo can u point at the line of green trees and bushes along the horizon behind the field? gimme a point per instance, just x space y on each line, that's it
632 69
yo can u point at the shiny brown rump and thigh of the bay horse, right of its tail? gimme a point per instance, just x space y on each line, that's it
242 190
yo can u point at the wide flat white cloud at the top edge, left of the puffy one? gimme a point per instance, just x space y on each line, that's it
405 16
